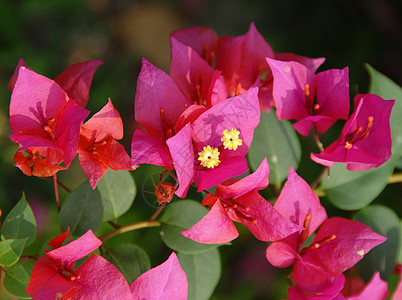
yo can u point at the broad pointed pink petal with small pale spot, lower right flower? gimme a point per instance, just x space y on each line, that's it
352 241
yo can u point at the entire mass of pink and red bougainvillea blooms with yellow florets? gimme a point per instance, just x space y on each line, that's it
197 123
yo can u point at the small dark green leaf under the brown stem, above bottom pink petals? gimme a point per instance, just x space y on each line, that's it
130 259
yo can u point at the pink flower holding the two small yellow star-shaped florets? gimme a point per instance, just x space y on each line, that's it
212 148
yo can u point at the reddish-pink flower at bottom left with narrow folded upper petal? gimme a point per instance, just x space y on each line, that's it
53 275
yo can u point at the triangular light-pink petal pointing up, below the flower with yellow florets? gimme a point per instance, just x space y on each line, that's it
214 228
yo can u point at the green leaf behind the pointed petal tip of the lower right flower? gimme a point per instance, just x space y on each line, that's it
384 221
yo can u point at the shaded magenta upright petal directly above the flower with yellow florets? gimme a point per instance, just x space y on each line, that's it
195 77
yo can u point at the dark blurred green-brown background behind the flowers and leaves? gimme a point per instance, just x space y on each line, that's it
50 35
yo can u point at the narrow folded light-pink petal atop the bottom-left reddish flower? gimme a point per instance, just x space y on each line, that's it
75 250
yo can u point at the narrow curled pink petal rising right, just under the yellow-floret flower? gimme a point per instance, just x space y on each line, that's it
253 182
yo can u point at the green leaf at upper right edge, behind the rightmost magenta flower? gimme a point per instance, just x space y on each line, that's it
387 89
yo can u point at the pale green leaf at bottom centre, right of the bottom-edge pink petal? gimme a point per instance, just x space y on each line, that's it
203 272
